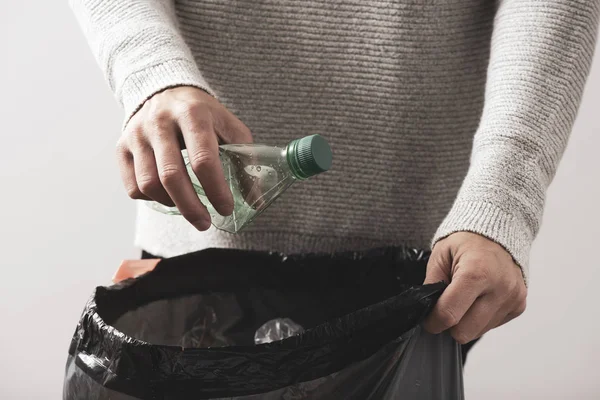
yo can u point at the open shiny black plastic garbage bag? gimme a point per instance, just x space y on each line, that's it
201 325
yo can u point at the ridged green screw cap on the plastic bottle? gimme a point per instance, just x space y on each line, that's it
309 156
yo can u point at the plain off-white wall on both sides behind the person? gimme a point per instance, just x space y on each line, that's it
65 224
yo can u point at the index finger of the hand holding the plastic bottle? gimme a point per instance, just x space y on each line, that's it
203 152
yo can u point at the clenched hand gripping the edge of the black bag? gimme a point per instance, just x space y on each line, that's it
486 287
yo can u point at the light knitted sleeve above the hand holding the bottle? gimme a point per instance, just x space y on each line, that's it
138 47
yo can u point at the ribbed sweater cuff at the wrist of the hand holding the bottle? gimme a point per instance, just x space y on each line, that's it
142 85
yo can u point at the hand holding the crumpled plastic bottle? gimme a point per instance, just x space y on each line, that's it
149 152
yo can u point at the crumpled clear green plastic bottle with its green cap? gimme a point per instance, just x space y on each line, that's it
258 174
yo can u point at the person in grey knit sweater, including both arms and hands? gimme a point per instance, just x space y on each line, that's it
447 119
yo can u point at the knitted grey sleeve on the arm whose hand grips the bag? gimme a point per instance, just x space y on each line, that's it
540 59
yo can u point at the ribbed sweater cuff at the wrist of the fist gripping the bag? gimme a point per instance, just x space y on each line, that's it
492 222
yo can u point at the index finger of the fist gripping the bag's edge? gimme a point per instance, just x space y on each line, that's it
456 300
